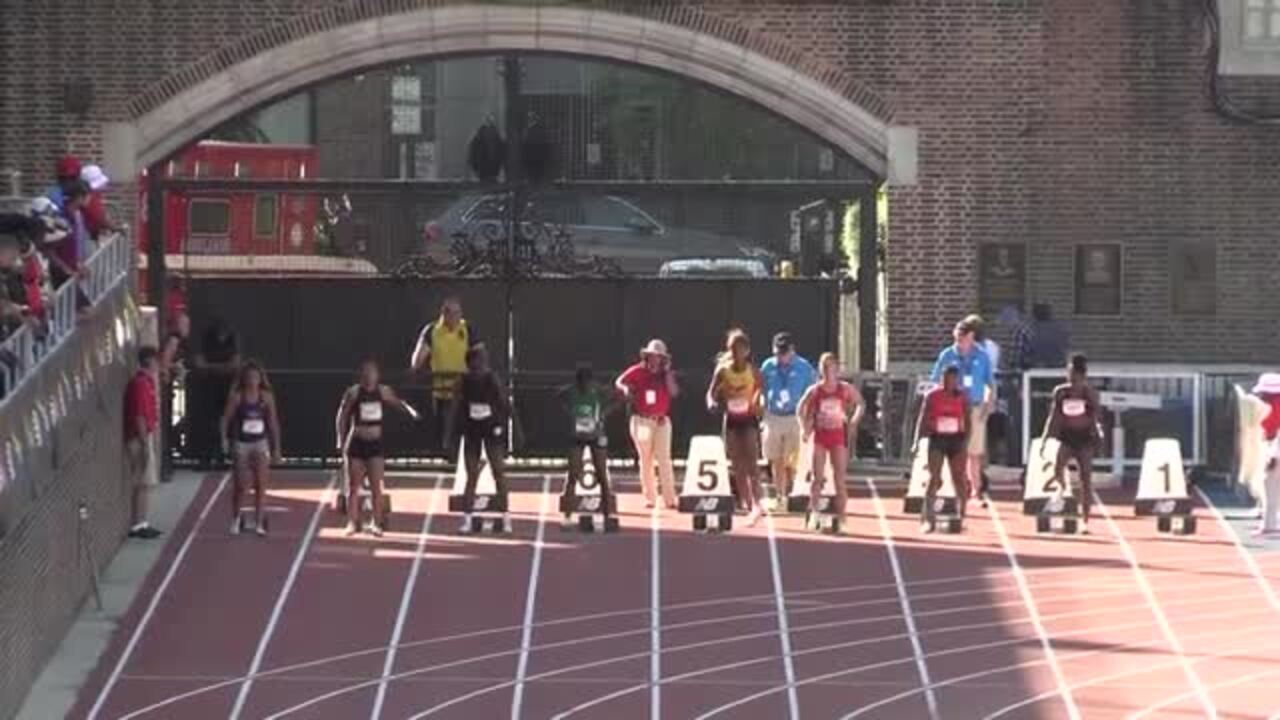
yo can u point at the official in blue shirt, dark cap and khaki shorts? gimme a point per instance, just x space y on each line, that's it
787 379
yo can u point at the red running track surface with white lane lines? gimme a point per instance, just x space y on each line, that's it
1116 625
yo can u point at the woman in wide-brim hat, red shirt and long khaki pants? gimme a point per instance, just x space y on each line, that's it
650 388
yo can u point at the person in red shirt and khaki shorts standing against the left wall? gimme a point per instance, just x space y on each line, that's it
141 420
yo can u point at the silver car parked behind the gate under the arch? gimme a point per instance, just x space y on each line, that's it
607 226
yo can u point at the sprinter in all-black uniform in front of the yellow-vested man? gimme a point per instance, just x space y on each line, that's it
481 412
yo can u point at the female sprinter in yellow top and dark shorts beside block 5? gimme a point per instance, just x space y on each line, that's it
738 388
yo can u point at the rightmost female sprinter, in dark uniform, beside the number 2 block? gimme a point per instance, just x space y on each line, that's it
1073 421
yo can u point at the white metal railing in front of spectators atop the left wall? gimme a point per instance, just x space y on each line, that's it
24 352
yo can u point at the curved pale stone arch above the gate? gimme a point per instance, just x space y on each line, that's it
363 34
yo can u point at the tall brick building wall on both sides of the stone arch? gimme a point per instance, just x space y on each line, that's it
1052 122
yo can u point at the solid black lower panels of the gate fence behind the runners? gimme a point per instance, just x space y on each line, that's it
312 334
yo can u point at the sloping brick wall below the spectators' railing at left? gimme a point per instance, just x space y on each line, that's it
44 578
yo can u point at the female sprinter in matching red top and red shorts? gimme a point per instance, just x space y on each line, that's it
830 413
